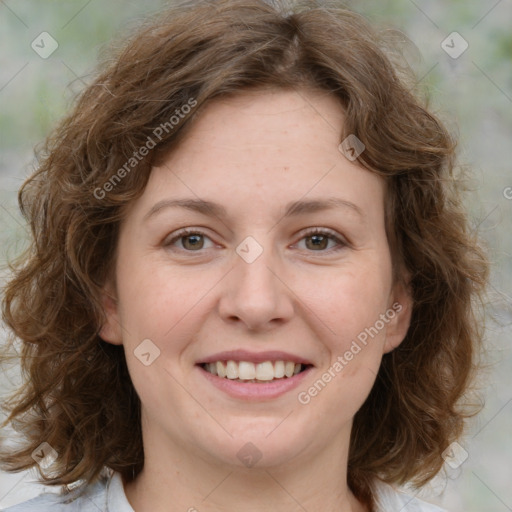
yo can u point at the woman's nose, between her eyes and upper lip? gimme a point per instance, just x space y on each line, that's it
256 294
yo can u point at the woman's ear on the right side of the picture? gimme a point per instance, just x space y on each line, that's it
401 304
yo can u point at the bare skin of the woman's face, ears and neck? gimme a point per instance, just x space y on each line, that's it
253 153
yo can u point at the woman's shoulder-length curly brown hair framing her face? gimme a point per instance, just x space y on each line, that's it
78 395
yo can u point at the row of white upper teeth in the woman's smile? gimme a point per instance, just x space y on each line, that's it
250 372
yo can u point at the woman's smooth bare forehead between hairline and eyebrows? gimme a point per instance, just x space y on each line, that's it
265 148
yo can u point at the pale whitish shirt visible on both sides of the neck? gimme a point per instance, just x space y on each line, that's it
107 495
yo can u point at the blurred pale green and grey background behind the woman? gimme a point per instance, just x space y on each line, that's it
471 93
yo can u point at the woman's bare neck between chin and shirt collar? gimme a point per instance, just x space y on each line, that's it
177 480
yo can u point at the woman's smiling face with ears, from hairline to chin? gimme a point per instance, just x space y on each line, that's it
285 258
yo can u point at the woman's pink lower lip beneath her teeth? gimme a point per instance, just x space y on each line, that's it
255 390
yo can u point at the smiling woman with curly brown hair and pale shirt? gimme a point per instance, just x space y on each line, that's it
251 282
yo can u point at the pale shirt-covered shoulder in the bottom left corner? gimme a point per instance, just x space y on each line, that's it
94 497
